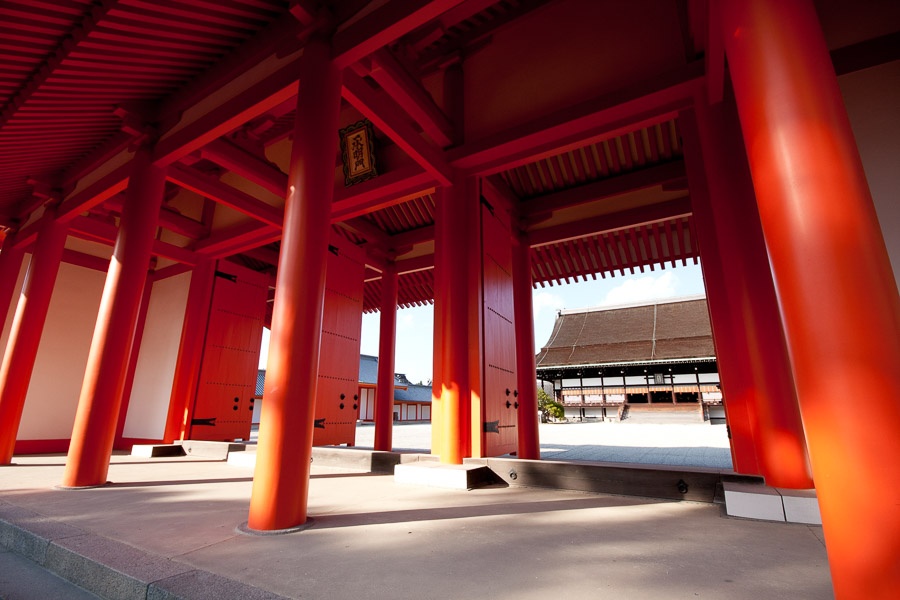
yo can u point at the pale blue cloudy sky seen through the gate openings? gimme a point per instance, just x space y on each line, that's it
415 325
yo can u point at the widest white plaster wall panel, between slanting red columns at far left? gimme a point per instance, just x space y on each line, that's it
52 397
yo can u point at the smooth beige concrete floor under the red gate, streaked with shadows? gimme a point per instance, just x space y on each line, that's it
175 519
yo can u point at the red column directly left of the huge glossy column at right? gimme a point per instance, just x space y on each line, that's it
781 443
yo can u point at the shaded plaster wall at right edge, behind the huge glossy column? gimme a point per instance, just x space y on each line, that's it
872 97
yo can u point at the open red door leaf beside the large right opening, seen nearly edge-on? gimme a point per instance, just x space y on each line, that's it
500 399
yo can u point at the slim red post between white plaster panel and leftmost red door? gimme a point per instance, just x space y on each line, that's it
190 351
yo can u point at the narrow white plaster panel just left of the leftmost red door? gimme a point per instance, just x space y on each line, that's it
155 370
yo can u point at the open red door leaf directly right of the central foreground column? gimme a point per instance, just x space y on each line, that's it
337 394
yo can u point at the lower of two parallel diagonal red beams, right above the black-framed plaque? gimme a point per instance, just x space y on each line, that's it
394 121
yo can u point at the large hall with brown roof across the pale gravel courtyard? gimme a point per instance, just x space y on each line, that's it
601 362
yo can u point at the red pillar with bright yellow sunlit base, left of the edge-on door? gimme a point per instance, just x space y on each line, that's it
457 317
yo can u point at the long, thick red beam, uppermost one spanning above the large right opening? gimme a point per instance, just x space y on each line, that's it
641 105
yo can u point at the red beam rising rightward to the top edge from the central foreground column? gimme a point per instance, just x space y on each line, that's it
384 25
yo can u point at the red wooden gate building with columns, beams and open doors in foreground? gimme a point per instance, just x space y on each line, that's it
175 175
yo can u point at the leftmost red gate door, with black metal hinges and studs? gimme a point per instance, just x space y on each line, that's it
223 407
